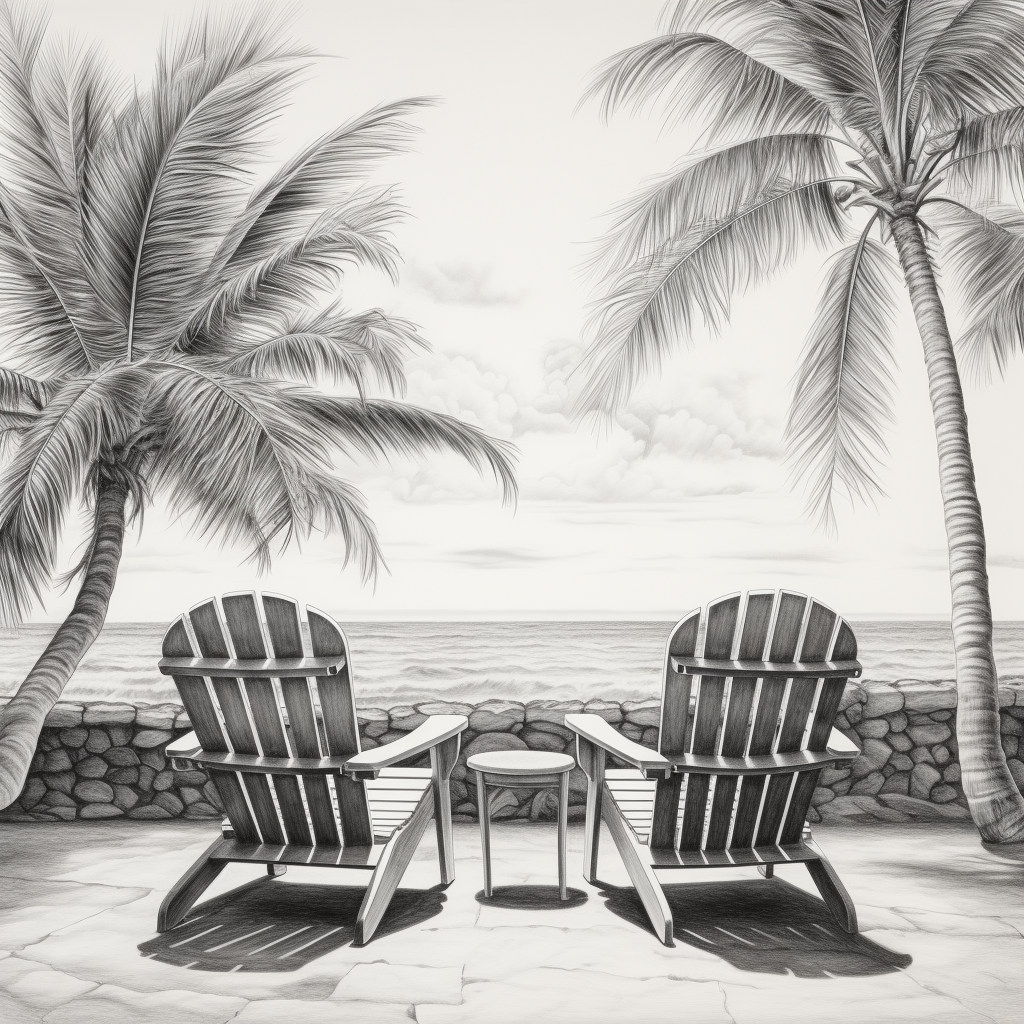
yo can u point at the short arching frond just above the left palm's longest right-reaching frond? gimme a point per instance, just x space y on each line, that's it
337 347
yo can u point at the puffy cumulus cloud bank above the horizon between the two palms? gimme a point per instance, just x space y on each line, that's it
701 436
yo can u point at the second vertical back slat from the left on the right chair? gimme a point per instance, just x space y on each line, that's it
722 619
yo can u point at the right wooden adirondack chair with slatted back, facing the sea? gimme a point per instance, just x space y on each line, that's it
747 730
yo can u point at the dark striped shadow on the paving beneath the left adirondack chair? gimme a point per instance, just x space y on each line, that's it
278 926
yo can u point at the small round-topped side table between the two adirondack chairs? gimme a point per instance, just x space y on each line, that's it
523 771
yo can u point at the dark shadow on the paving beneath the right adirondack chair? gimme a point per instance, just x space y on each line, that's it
762 926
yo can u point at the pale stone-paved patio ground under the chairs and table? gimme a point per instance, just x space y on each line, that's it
943 936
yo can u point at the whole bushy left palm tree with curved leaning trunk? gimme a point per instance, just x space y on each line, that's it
168 318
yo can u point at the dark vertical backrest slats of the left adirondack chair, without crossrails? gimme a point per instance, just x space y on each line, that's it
274 718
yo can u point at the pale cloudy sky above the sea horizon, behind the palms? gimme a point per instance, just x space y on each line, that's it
687 494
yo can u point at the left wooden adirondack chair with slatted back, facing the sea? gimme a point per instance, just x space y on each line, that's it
277 732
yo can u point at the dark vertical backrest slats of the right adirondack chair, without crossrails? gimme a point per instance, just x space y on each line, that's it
742 717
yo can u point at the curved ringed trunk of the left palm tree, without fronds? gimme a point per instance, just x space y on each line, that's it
22 720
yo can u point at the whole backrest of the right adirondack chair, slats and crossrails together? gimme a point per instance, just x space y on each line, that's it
752 689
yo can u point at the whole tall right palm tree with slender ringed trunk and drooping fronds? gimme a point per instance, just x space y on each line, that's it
846 125
